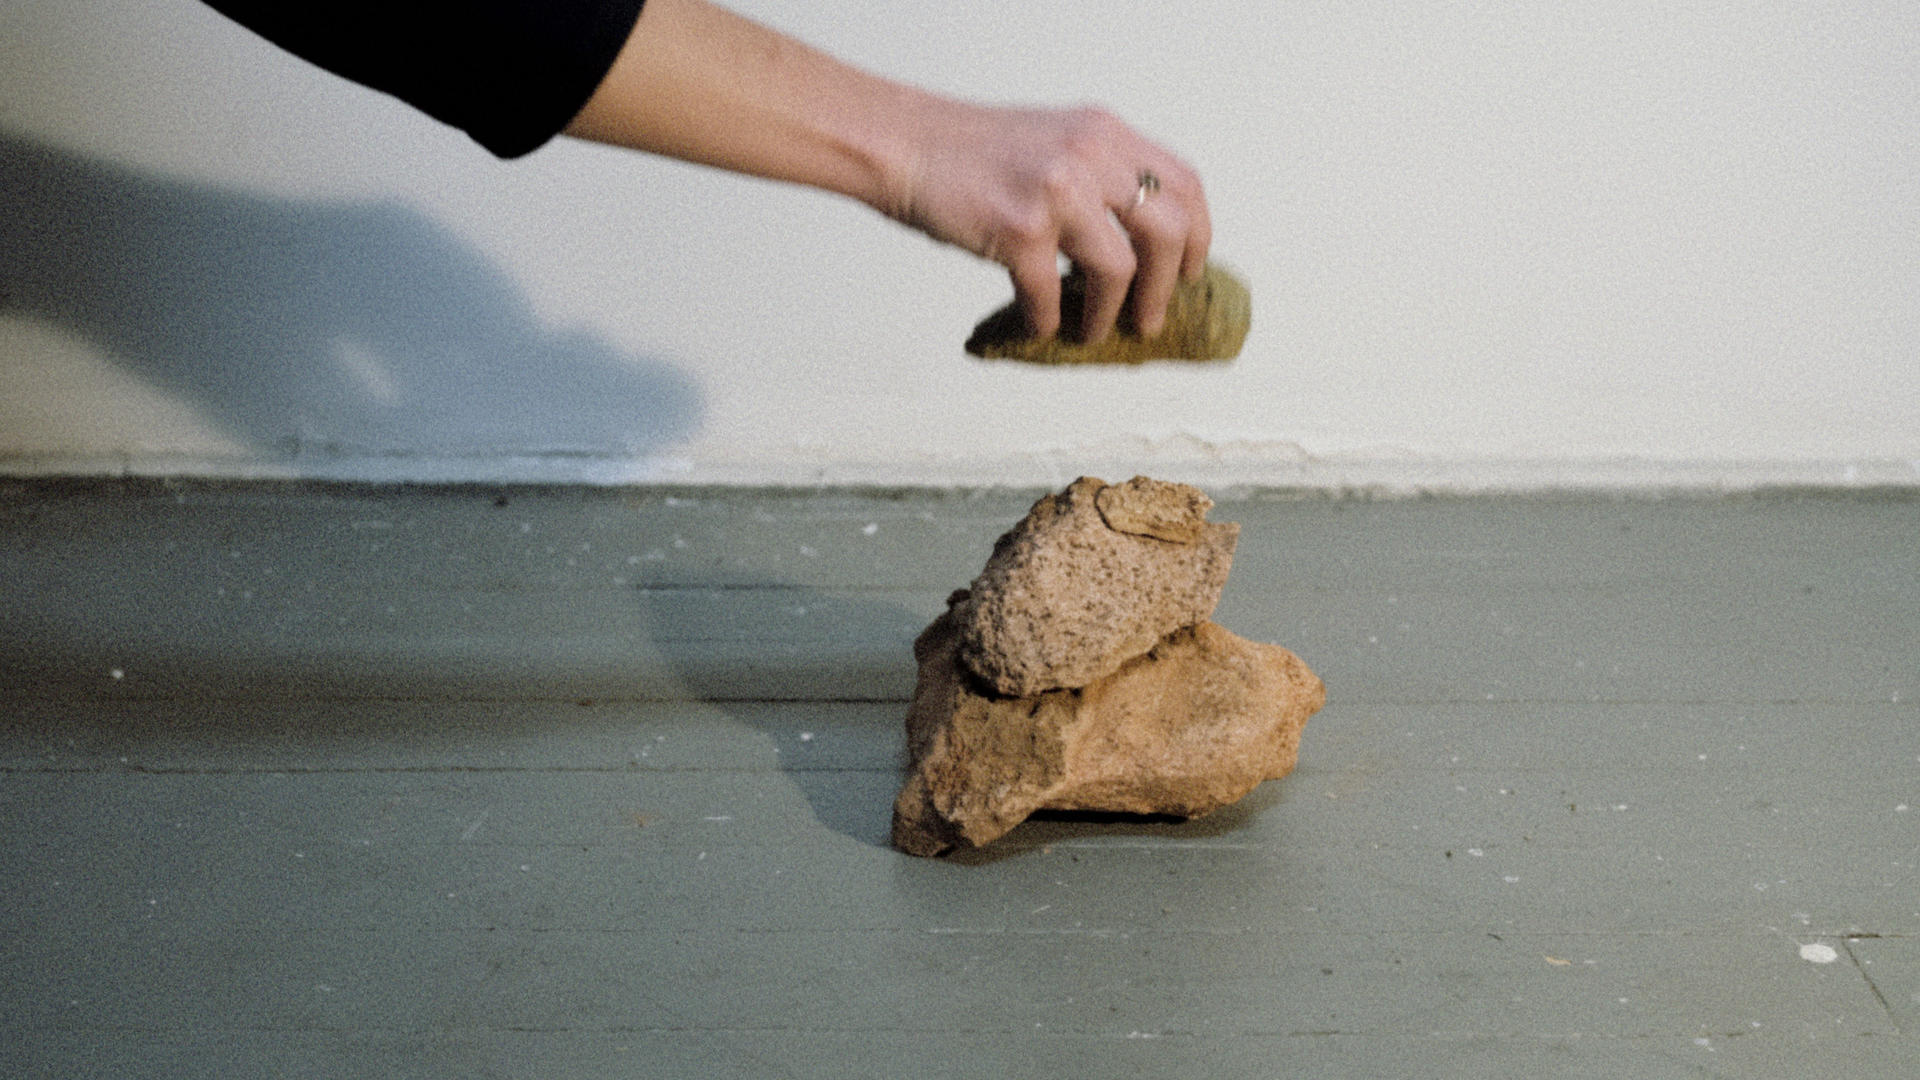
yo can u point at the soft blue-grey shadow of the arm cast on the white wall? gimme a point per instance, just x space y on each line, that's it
310 328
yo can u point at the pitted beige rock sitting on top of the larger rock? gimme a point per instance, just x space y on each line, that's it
1068 597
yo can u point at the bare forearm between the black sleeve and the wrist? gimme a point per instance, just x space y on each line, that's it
706 86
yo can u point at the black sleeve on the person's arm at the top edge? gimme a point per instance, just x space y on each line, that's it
508 72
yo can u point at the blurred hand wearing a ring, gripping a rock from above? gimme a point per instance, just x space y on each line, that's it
1024 185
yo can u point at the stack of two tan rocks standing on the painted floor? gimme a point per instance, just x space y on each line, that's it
1080 674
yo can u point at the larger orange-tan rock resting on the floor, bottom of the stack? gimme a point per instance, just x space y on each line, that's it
1186 729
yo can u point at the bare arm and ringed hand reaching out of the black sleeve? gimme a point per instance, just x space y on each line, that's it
1019 187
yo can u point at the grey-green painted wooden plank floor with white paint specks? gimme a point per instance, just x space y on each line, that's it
565 783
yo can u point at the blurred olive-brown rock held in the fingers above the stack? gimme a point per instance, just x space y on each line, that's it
1209 318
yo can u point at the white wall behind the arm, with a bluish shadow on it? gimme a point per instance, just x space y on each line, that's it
1491 245
